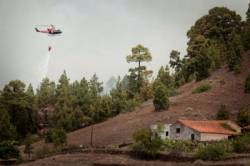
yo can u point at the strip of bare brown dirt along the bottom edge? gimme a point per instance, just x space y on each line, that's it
97 159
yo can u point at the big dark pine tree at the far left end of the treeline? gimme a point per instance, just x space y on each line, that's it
20 108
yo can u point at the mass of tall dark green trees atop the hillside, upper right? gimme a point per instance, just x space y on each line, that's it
214 39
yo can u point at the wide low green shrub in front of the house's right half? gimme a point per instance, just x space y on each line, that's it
216 151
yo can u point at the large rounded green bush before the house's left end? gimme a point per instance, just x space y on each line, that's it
146 144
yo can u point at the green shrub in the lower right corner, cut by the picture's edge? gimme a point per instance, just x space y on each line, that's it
242 144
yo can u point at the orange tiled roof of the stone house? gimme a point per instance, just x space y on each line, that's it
209 126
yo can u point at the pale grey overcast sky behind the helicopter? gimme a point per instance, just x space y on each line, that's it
97 35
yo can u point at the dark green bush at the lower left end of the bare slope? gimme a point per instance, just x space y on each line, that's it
56 136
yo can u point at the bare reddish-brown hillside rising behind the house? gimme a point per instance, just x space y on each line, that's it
227 88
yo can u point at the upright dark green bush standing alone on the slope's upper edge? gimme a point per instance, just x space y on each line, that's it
161 100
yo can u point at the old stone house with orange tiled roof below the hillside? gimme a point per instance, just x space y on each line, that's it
206 130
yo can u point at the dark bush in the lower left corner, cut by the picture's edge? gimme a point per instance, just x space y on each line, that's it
8 150
